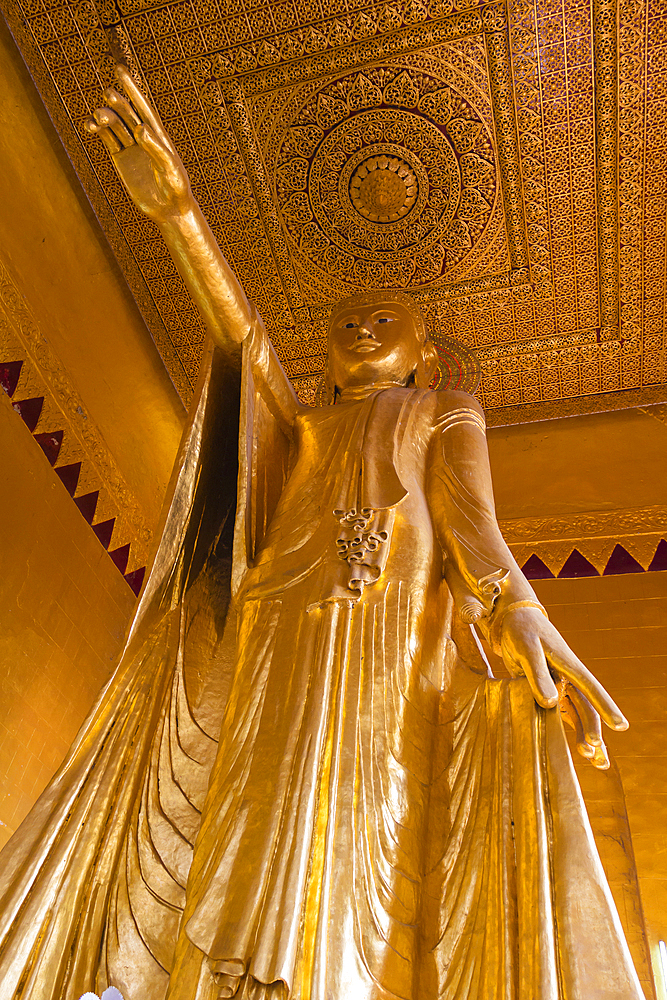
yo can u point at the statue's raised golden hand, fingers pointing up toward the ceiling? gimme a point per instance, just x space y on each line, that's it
144 155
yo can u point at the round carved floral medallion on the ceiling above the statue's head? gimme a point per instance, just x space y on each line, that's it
385 195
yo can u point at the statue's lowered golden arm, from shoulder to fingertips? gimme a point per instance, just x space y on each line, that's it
488 586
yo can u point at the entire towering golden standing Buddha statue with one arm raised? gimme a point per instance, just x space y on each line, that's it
303 781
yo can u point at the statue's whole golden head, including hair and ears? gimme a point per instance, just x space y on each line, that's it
378 338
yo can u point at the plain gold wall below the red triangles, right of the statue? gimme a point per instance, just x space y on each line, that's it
618 626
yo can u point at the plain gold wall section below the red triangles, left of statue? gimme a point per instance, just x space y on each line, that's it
63 609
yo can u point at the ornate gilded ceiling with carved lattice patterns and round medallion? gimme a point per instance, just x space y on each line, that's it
506 163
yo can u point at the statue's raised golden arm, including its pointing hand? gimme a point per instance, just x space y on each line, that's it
157 182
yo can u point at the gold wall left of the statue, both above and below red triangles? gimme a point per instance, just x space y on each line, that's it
67 314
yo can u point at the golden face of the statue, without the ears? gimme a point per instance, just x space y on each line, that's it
374 343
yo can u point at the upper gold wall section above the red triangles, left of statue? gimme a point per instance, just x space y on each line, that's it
56 258
